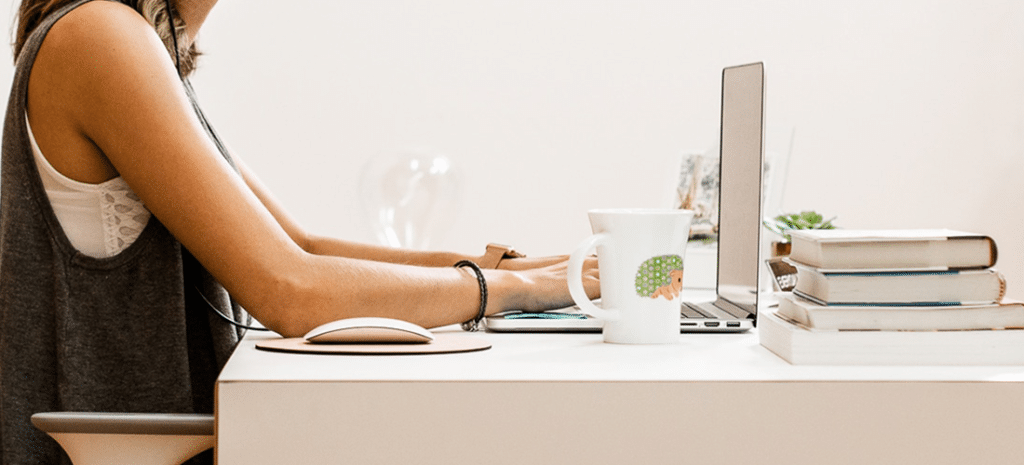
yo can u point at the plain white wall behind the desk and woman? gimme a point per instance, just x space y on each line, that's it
908 114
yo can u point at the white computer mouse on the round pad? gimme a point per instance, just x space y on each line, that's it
369 330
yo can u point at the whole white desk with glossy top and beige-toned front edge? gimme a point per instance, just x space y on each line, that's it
536 399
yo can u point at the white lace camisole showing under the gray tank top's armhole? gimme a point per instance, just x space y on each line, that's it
101 221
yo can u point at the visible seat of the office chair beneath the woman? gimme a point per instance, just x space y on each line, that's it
96 439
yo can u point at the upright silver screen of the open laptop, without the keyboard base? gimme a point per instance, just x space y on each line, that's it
740 201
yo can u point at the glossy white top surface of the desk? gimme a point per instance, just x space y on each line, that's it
549 357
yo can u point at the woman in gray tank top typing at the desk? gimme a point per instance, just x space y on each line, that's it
124 221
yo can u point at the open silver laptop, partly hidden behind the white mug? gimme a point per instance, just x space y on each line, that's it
742 158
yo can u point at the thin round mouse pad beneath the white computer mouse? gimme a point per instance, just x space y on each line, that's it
443 344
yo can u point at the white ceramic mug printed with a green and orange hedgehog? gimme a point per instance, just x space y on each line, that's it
641 257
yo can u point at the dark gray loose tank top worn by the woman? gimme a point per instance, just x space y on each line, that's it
129 333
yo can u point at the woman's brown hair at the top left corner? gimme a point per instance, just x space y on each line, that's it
32 13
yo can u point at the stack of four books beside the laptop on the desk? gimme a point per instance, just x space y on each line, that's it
895 298
